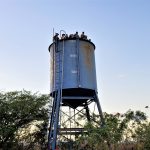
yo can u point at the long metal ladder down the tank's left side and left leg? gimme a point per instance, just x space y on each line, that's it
54 121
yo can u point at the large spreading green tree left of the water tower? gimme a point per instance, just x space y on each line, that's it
18 110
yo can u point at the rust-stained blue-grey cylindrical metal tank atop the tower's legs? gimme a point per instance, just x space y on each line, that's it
72 66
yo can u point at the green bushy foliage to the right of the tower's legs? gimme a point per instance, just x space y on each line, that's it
118 129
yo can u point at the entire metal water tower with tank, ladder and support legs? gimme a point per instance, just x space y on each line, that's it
73 81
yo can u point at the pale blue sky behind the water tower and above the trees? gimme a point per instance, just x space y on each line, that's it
120 30
